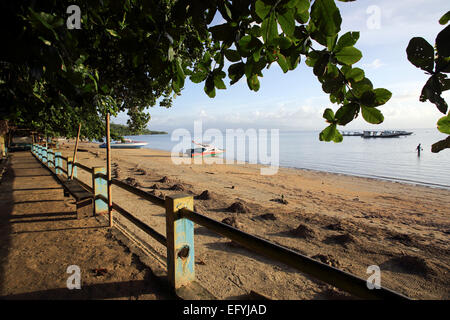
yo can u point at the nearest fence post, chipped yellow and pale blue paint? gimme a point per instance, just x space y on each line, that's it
180 241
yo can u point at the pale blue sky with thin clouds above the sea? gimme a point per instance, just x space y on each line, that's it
295 100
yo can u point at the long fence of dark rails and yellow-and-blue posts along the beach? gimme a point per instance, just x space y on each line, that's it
179 238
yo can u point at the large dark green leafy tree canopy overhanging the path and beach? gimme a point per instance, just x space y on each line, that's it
131 54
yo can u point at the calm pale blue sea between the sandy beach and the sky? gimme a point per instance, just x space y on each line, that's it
382 158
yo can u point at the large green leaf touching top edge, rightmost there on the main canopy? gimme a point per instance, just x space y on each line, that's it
326 17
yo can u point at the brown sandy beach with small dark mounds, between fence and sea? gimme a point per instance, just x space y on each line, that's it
345 221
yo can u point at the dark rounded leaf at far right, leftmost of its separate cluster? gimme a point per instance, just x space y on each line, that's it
421 54
